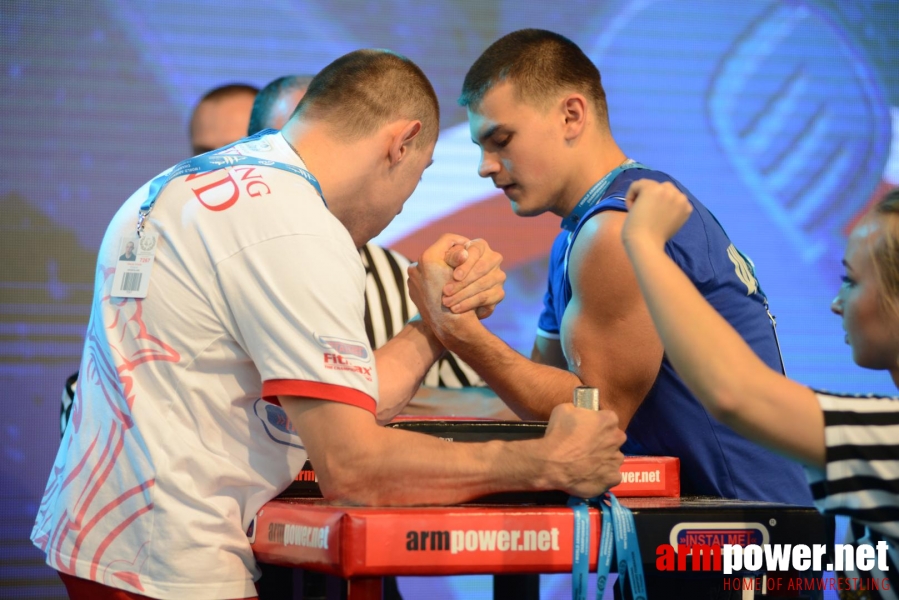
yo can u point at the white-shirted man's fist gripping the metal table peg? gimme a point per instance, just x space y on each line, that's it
585 450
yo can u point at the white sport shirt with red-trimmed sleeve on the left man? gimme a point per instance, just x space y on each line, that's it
257 291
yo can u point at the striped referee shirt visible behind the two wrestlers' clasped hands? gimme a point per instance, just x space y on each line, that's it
388 308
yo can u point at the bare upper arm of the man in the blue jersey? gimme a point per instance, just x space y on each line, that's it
607 331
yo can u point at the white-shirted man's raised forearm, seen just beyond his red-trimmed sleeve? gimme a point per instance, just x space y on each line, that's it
402 364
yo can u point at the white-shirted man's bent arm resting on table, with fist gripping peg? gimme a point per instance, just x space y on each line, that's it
358 462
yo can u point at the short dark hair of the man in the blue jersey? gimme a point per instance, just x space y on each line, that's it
541 64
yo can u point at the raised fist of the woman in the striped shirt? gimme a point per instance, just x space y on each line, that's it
656 211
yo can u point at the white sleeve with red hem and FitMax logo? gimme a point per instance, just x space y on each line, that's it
297 307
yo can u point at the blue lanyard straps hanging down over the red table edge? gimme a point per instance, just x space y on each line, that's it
618 537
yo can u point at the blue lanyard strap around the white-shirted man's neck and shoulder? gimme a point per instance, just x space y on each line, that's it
213 161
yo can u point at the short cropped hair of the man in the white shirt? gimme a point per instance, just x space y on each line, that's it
366 89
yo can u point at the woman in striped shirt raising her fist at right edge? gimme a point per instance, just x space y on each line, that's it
848 444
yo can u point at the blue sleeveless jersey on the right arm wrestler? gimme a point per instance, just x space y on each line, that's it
714 459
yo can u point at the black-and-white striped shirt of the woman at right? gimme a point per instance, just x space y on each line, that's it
861 478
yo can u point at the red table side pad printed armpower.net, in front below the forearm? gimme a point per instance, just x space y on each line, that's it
359 542
